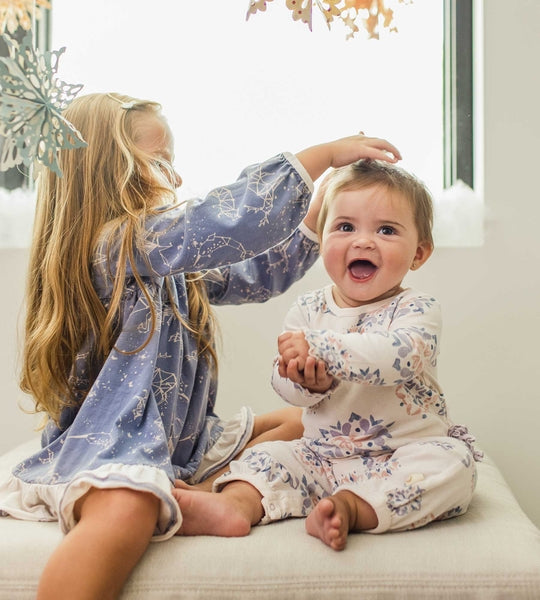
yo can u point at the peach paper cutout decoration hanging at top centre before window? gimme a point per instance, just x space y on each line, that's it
373 15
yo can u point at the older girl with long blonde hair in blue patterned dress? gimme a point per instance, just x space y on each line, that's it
119 348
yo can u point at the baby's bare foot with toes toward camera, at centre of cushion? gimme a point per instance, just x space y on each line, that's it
333 518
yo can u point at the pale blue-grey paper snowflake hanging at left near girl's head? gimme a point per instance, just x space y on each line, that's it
31 102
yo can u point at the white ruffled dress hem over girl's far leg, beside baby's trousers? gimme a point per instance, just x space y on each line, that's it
236 434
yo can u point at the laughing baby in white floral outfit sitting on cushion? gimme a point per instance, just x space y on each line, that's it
379 452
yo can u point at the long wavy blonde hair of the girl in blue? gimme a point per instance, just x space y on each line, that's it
112 181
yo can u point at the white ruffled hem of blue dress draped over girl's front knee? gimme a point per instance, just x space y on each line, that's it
39 502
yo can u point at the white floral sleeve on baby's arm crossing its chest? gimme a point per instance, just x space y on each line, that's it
384 356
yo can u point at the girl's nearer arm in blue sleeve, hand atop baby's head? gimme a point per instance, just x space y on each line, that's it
259 210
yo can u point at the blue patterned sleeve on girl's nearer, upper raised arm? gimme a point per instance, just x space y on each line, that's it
233 223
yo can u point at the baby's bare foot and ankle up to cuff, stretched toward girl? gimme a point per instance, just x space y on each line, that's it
230 513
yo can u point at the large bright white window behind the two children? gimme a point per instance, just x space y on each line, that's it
236 92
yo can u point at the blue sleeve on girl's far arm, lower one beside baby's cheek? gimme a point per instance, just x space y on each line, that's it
266 275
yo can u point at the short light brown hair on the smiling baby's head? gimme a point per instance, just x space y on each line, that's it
366 173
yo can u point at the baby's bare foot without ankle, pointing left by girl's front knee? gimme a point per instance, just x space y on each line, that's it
205 513
